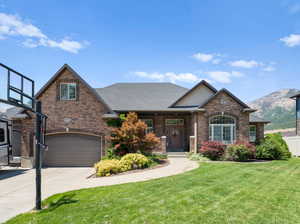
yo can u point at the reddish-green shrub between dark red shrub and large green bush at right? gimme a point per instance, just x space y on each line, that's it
240 151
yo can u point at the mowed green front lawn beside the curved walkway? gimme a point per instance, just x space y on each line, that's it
252 193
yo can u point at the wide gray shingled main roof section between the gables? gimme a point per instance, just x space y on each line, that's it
142 96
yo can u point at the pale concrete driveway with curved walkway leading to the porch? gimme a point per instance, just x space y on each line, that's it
17 188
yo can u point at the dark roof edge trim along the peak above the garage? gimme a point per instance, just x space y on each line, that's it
77 76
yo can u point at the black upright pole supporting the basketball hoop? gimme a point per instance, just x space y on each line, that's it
38 205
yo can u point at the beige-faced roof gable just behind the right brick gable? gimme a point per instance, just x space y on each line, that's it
196 96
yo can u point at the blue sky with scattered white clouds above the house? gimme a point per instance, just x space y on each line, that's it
249 47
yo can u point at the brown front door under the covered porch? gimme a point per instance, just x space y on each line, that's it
175 135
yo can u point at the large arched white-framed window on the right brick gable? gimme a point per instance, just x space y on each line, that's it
222 129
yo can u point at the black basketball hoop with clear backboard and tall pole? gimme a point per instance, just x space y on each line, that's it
19 92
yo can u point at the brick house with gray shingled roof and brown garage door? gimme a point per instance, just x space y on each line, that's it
76 128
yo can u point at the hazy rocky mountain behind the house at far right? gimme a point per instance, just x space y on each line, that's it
278 108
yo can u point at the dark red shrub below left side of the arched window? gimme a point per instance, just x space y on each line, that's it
212 150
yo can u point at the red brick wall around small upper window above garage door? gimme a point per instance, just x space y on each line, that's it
85 113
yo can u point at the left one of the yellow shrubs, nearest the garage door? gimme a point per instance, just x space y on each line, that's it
107 167
